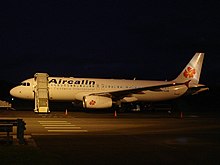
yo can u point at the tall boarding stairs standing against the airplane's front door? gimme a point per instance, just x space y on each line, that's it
41 93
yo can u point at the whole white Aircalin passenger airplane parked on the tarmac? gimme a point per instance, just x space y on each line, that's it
97 93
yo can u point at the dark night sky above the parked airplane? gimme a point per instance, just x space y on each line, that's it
151 39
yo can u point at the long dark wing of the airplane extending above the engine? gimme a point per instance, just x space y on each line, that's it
123 93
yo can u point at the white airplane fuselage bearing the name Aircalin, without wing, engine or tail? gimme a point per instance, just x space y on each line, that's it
70 89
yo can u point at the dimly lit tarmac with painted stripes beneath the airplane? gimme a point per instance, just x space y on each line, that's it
114 138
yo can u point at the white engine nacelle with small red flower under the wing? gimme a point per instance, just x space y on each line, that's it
97 102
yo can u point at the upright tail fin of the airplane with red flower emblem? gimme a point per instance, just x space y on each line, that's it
192 70
